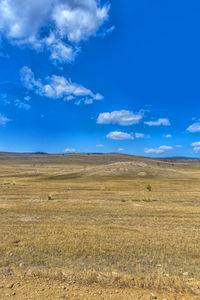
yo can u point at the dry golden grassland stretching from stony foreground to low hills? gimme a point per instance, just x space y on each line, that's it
85 227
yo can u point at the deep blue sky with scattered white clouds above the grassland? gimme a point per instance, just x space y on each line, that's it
109 76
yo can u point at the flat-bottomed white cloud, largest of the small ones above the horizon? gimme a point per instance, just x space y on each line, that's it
122 117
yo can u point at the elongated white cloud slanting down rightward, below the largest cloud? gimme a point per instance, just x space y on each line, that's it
57 87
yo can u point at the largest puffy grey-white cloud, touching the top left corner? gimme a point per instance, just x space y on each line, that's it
58 25
